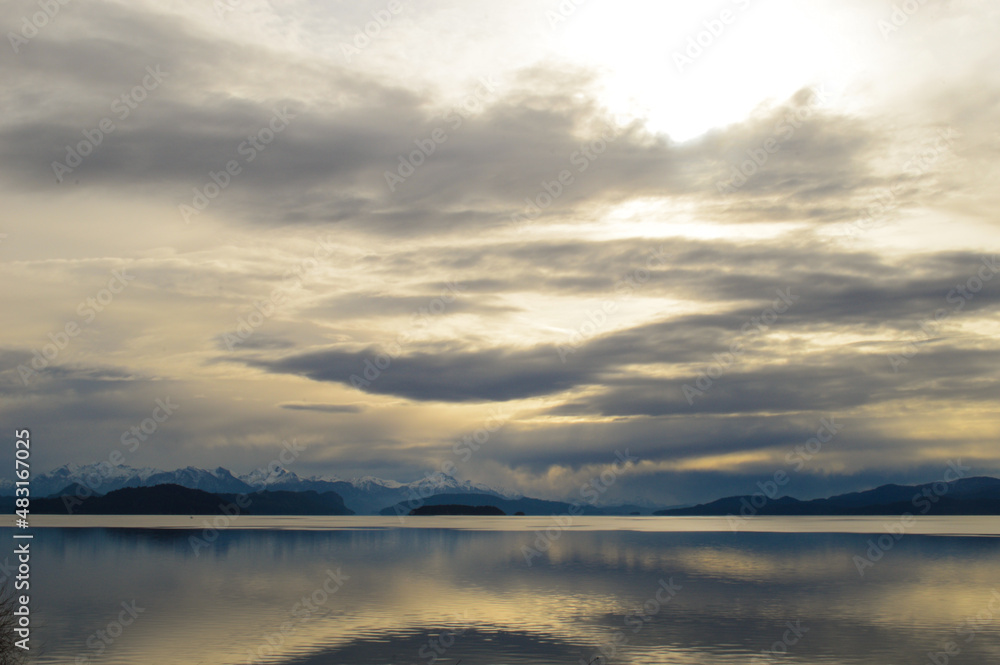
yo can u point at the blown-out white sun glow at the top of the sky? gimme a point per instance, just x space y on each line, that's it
686 68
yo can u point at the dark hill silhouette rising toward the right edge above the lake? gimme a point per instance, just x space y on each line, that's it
966 496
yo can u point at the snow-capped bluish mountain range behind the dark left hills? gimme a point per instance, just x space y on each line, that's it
364 495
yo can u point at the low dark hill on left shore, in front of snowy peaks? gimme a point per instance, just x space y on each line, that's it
173 499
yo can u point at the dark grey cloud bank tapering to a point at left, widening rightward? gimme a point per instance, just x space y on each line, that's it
829 302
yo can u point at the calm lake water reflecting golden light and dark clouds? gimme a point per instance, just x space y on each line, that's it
643 590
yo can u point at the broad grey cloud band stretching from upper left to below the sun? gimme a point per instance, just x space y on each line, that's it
329 165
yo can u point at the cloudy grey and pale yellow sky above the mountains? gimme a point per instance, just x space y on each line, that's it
693 247
